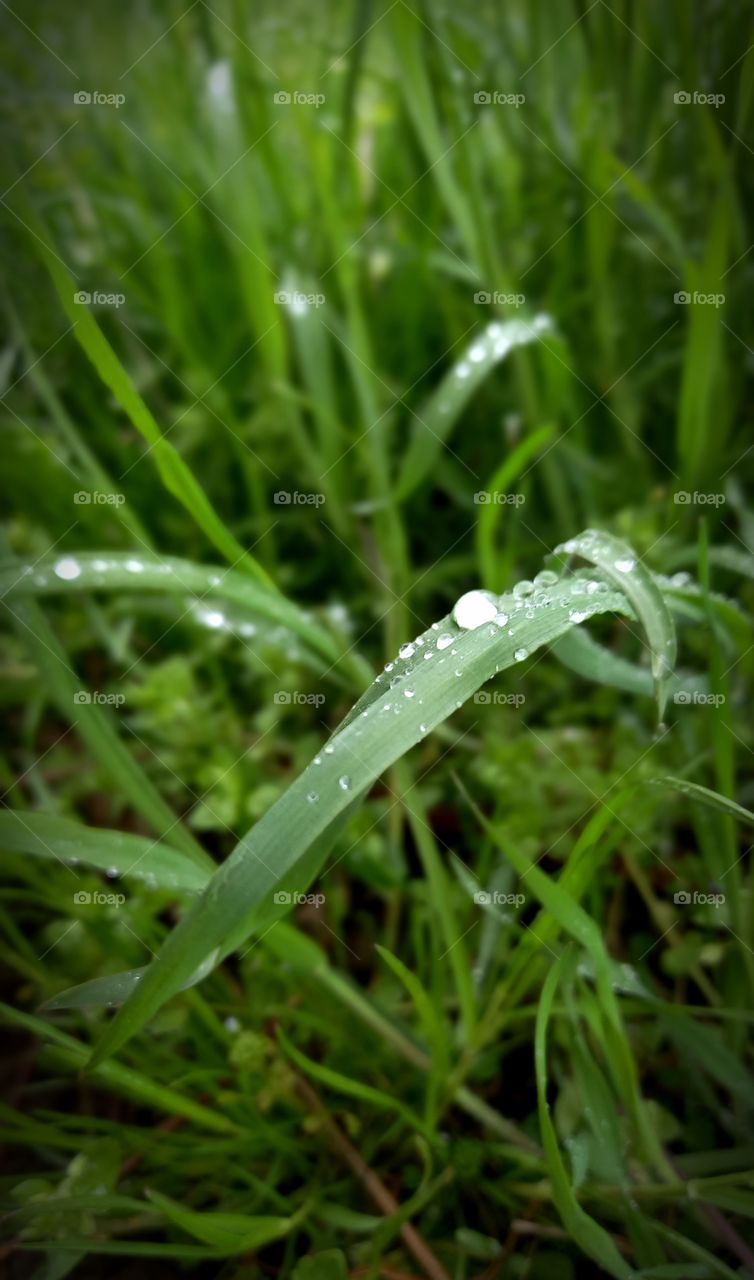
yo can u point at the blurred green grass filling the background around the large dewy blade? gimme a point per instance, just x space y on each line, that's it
595 202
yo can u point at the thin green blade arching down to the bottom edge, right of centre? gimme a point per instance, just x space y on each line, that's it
584 1229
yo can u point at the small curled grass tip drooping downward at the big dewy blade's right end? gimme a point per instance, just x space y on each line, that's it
622 566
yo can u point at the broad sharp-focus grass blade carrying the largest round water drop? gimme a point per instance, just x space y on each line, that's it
435 676
